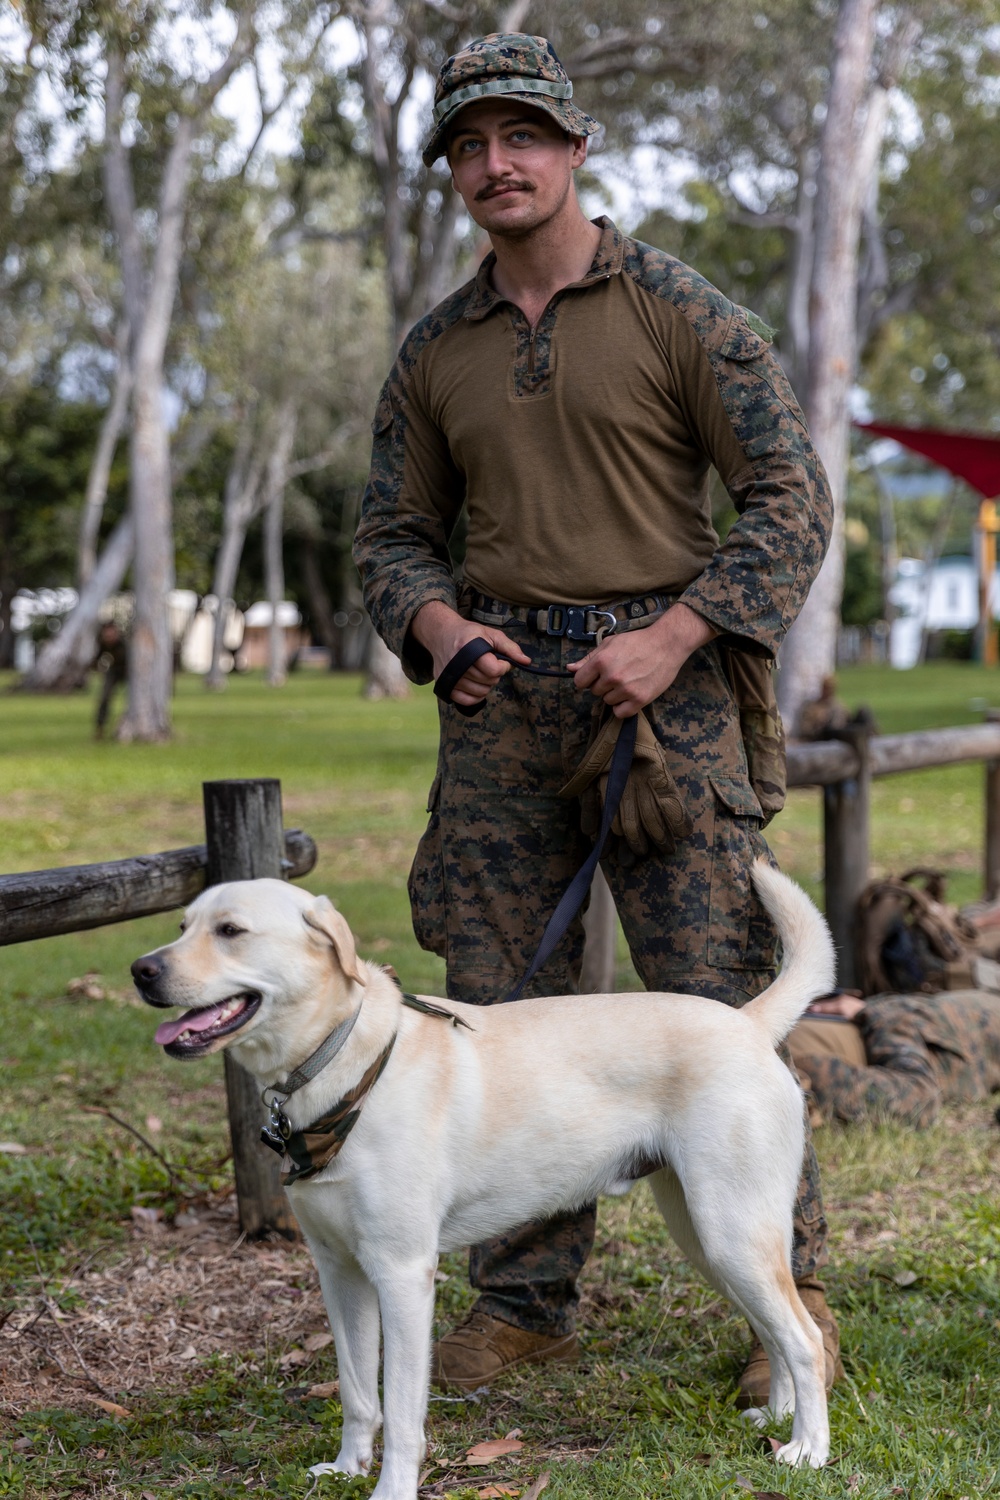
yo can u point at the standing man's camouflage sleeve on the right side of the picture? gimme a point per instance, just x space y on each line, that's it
759 577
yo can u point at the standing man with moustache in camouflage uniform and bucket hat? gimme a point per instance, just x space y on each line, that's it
573 398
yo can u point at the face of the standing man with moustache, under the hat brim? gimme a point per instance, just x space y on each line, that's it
512 166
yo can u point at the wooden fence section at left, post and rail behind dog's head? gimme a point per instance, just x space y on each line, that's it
244 842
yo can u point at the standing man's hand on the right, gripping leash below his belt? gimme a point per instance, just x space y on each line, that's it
632 670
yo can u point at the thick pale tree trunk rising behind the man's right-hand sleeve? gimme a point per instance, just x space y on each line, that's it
810 652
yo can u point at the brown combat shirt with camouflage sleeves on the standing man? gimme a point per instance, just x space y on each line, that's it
582 451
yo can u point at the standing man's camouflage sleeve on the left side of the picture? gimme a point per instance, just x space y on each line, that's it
412 503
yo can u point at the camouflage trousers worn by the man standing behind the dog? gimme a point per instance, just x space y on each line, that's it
497 856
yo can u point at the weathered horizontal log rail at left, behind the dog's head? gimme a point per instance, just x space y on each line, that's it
46 904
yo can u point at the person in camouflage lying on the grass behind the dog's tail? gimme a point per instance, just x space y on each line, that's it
899 1057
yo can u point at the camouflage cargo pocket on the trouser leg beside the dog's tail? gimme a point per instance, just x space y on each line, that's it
741 935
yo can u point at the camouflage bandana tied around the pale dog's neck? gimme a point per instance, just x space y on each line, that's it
311 1150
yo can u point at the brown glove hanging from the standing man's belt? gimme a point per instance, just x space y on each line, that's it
651 814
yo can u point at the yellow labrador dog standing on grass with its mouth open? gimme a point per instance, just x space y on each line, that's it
458 1123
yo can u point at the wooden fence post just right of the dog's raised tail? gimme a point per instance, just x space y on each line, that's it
846 844
